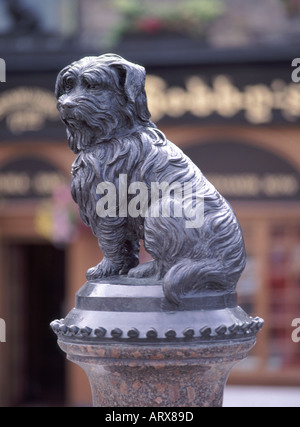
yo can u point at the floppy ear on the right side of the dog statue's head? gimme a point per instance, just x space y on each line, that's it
132 79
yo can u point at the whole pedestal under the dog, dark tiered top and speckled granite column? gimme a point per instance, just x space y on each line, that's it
139 350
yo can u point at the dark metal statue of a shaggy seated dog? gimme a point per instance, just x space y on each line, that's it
103 104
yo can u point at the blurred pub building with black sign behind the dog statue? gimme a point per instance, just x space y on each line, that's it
220 86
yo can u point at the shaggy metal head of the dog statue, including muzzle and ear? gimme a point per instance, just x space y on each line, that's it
99 98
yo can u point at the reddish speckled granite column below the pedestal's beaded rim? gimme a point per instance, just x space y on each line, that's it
157 375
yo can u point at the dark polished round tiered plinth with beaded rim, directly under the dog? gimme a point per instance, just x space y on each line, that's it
136 309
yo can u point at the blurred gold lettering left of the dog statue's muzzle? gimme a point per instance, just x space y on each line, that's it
27 108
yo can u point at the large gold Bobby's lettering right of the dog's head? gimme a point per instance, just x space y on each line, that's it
200 99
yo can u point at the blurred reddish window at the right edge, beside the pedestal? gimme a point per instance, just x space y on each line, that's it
284 294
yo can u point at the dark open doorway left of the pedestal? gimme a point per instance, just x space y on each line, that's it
34 288
